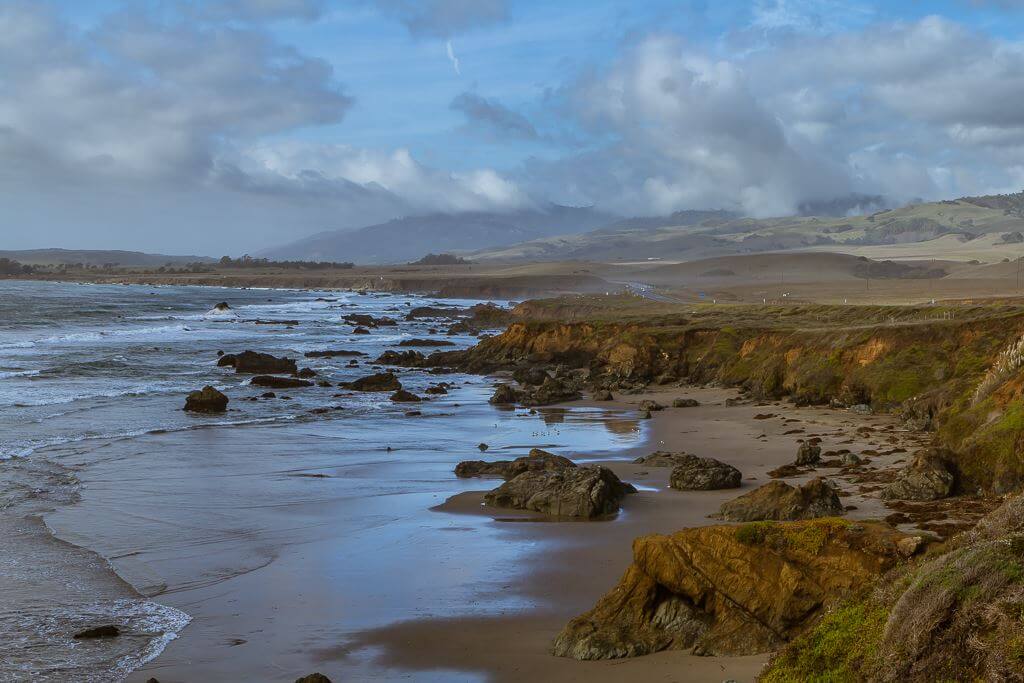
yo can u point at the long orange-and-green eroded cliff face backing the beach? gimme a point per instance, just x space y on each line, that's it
930 373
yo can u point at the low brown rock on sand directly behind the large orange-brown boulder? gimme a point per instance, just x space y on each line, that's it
779 501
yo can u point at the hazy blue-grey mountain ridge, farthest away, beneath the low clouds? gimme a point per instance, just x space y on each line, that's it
408 239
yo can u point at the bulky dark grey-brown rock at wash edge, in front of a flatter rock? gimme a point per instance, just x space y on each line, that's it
566 492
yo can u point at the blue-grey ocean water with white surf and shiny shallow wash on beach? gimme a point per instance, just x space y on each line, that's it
218 528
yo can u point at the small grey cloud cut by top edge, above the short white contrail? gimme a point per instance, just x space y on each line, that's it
445 19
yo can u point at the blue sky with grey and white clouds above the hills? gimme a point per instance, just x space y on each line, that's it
228 126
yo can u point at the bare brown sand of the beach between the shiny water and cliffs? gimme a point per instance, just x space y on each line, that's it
589 558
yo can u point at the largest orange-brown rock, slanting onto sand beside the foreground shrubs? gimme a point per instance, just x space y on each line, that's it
731 590
